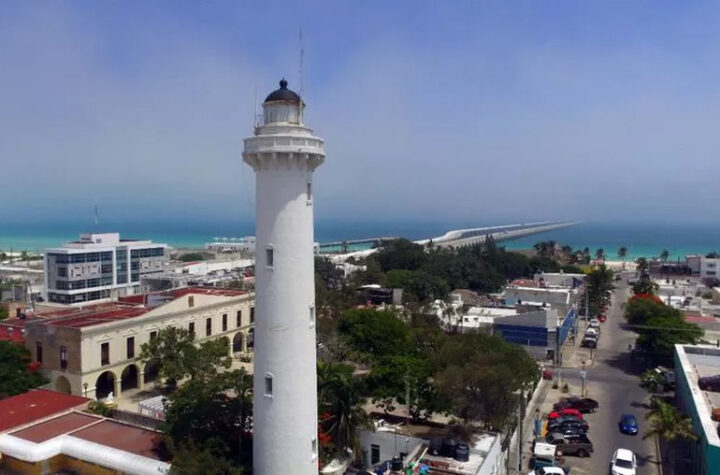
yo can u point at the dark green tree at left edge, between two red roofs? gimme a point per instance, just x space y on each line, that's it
17 372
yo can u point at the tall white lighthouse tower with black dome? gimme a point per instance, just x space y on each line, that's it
284 153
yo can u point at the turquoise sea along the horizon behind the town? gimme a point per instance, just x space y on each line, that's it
641 239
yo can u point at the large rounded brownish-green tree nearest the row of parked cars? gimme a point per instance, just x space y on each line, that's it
479 376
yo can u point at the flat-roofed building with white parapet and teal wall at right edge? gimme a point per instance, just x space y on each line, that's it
693 362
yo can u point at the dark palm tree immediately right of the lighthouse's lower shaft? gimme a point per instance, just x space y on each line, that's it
340 407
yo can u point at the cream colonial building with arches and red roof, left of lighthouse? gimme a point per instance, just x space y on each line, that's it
94 351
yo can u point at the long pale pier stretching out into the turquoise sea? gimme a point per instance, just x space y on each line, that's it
461 237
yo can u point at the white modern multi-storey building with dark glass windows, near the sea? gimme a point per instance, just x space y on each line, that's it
99 267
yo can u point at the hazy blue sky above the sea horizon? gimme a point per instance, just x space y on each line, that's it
468 111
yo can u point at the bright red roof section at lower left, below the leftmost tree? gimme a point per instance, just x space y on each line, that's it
34 405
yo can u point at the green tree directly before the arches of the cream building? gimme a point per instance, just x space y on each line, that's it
178 356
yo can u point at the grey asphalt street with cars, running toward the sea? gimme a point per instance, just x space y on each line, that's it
612 379
